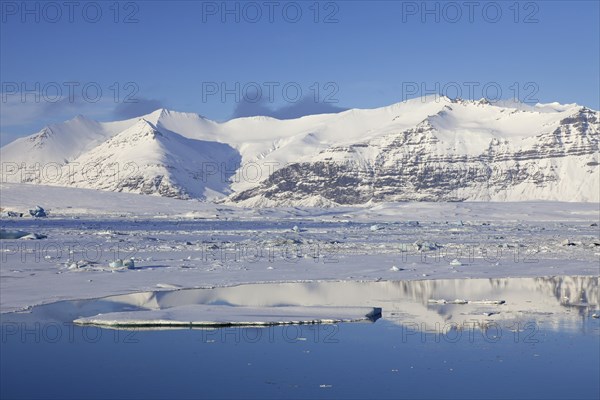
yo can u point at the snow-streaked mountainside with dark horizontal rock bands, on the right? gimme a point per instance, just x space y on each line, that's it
417 164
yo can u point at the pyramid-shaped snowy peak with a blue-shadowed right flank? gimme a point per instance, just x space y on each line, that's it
144 159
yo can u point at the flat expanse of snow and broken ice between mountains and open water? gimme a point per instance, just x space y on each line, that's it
172 244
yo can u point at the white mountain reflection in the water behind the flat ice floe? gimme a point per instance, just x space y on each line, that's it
549 300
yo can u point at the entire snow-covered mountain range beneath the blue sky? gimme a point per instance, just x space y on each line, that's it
433 149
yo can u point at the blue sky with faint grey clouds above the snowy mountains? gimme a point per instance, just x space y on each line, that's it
183 55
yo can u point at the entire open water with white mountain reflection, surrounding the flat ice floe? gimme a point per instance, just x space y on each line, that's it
549 347
